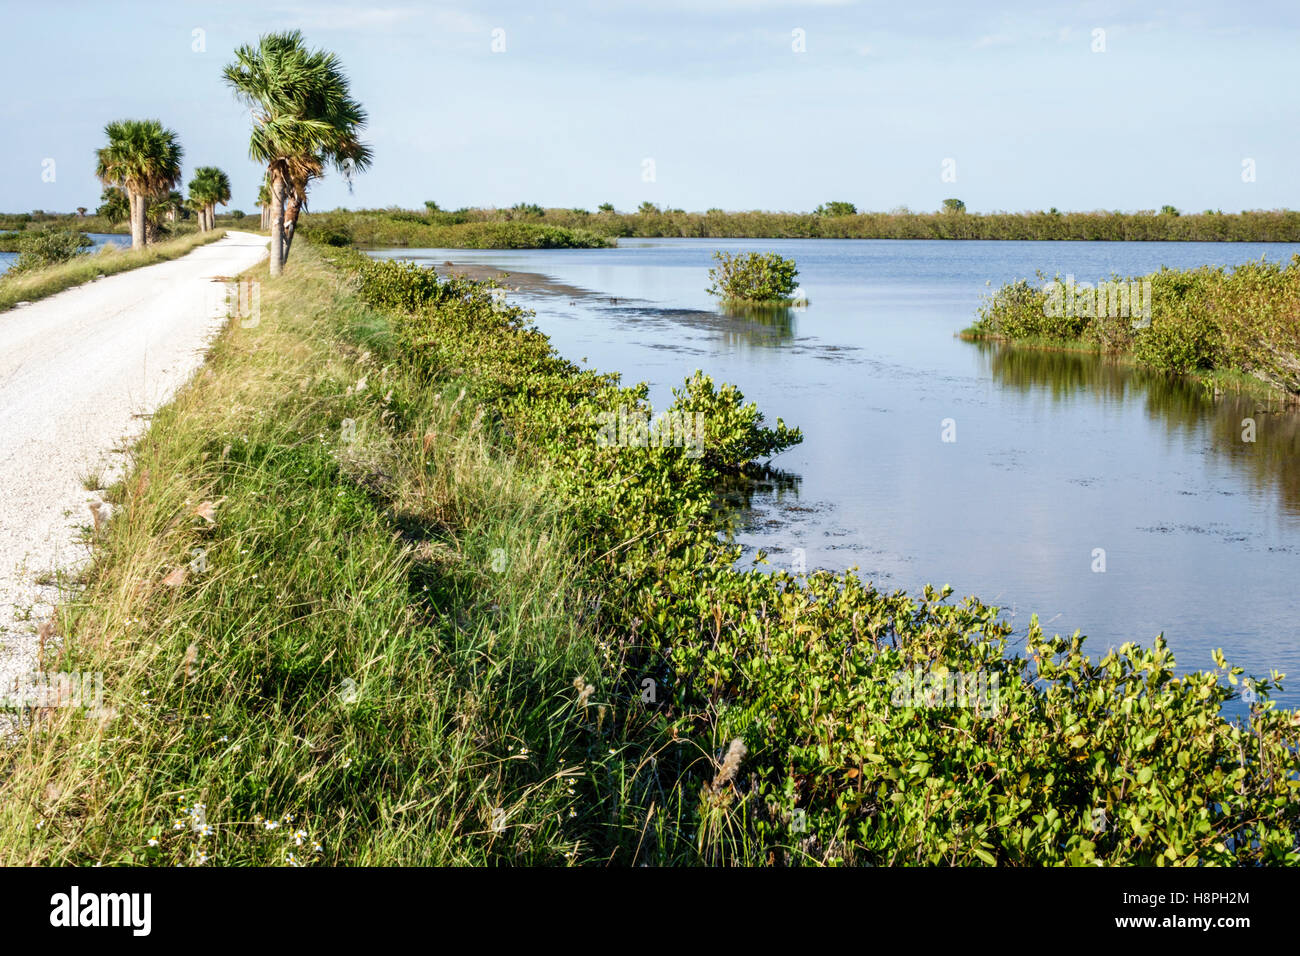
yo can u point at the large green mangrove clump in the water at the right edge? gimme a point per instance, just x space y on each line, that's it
1224 323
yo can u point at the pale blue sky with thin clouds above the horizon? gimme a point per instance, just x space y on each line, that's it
713 92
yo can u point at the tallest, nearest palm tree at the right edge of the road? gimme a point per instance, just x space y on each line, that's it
305 120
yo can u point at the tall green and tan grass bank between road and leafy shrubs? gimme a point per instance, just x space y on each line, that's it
328 563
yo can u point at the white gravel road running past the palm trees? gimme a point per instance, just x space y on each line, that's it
80 374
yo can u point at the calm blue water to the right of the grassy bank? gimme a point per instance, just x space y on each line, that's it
1056 456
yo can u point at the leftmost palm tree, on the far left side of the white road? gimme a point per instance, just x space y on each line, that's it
144 158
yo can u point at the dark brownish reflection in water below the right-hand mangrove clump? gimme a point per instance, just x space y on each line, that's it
1180 405
